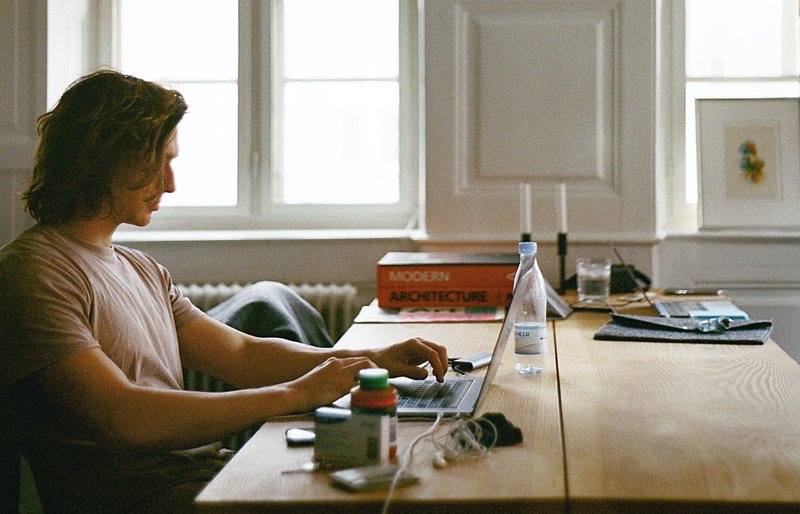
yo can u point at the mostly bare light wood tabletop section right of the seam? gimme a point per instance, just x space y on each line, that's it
677 426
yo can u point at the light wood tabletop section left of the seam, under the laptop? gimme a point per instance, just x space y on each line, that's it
529 475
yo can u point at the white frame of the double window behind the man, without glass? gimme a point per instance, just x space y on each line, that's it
258 28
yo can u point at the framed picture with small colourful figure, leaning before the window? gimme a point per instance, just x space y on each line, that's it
748 163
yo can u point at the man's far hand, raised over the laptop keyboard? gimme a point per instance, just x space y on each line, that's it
405 358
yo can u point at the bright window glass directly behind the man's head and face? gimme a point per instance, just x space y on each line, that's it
205 70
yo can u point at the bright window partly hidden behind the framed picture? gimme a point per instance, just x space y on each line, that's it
729 49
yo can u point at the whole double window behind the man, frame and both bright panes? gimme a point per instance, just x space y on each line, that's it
302 113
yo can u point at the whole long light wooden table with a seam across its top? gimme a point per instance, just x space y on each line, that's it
641 427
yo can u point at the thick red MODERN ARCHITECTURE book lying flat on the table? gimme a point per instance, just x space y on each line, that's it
439 279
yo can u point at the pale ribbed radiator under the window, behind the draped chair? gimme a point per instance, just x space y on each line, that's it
336 303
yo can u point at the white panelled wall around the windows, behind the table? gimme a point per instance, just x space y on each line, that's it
529 90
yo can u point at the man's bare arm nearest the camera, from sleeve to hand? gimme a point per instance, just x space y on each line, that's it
89 393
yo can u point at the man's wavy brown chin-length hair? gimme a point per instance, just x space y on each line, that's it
108 129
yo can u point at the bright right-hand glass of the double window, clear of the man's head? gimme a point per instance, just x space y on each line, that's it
340 96
